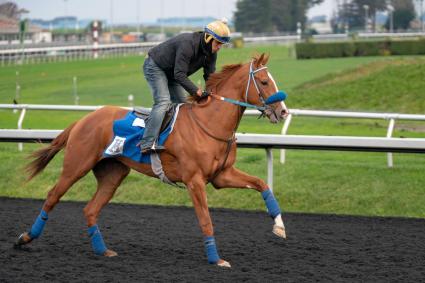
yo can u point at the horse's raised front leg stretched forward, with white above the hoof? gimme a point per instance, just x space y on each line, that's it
234 178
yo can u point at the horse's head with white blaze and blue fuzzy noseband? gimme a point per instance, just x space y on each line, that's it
261 90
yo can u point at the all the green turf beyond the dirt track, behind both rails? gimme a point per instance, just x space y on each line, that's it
310 181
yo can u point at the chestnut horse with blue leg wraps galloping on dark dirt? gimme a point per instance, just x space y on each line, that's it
200 150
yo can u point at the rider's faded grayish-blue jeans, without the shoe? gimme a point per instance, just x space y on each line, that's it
164 93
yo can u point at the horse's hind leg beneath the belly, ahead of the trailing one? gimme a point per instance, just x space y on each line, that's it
109 174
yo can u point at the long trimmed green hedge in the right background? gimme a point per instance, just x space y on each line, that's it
359 48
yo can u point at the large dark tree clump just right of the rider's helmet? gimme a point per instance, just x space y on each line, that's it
271 15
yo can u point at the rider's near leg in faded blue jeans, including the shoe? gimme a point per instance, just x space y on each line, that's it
158 83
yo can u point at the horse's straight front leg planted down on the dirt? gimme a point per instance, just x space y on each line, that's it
196 188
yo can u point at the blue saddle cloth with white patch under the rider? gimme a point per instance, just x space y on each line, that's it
127 134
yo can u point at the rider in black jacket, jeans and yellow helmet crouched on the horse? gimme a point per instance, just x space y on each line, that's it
167 68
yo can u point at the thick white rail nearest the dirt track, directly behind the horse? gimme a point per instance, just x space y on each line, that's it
268 142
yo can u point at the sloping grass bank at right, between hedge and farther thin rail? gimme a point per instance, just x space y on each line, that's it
393 86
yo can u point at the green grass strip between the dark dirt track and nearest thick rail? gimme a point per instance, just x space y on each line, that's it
309 181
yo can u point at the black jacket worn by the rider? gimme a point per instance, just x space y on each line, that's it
183 55
